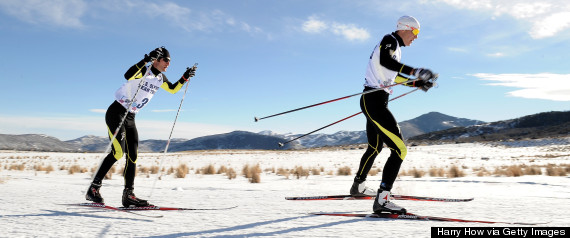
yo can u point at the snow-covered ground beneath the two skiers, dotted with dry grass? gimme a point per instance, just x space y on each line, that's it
30 198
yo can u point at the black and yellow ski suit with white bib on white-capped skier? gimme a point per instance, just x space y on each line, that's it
384 69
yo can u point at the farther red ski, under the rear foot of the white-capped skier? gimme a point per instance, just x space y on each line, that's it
394 196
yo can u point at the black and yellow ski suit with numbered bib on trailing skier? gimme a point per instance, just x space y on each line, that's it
127 140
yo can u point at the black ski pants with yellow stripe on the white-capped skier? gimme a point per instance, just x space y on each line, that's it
381 128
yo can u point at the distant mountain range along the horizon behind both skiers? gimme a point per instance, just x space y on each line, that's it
429 127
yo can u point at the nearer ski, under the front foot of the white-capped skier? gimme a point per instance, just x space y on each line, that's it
411 216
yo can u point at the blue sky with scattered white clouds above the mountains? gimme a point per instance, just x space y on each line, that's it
62 61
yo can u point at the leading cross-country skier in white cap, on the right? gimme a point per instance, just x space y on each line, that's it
384 68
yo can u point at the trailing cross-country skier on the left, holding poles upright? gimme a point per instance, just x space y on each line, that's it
142 83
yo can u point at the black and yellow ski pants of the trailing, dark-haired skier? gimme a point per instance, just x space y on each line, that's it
126 142
